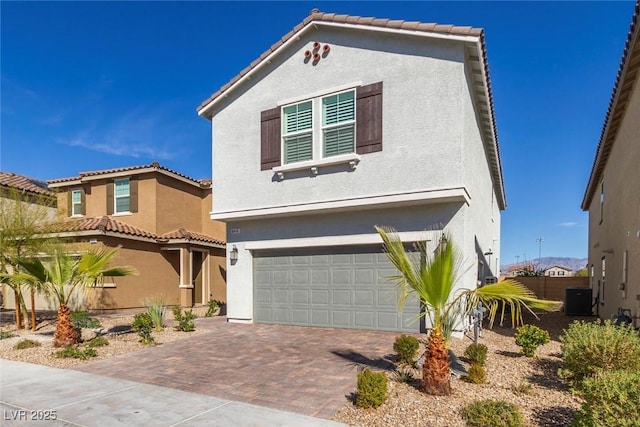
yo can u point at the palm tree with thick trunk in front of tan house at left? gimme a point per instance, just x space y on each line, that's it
61 274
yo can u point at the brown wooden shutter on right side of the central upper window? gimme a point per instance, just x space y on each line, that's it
369 118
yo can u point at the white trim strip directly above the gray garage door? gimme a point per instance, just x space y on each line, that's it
344 240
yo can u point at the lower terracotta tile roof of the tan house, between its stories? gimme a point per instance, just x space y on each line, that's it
107 224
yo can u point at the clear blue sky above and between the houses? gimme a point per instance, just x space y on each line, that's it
97 85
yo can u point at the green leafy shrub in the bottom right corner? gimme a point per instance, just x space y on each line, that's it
611 398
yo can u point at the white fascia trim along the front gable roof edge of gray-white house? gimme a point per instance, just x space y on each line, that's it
203 112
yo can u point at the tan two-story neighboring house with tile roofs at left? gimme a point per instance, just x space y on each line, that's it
160 220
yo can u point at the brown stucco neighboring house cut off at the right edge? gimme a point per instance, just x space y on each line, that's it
612 195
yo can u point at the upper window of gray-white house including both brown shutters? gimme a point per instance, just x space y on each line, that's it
322 129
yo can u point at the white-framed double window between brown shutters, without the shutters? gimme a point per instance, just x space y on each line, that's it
319 128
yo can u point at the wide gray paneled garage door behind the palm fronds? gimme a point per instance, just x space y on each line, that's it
333 287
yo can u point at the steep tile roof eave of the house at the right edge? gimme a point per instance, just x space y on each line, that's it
628 74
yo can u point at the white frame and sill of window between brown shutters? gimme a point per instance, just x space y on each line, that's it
317 133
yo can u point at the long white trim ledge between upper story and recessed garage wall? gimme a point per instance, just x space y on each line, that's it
459 194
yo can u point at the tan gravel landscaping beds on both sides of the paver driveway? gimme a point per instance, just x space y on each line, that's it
530 383
